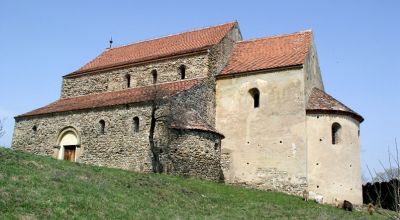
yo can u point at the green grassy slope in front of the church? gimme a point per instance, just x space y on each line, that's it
36 187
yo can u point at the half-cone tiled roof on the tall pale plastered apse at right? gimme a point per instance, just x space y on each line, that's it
320 102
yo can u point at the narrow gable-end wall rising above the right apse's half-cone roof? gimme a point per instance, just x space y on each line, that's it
312 72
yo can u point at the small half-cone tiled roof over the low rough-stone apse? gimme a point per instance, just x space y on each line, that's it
191 120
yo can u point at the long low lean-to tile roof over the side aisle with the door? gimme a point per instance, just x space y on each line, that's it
113 98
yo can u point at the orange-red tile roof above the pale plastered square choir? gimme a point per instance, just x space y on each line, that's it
269 53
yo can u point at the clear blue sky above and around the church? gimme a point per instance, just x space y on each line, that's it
357 42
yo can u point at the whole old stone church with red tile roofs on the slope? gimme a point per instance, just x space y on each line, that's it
248 112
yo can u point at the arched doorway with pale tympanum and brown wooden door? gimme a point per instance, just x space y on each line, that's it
68 141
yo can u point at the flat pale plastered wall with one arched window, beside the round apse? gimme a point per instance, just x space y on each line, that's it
264 147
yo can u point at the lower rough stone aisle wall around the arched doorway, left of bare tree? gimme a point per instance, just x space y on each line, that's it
118 147
